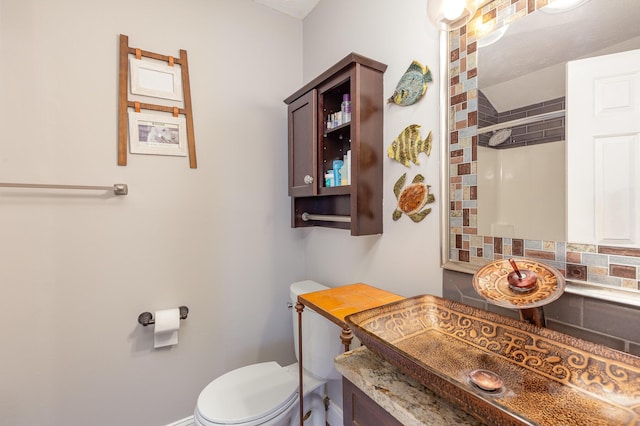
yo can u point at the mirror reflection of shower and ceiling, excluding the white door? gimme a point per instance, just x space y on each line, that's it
521 112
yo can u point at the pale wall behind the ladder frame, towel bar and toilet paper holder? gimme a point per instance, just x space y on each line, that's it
77 268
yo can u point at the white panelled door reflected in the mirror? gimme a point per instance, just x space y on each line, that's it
603 150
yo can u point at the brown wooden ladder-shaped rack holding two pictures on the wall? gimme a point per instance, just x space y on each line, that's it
124 103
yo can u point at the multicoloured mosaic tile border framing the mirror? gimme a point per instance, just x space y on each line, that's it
610 266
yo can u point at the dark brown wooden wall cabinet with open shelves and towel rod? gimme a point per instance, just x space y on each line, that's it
356 204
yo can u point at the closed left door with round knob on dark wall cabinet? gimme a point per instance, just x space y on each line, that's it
303 142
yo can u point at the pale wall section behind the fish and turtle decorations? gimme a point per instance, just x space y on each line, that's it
405 258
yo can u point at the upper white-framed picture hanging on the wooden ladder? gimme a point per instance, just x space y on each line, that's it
155 79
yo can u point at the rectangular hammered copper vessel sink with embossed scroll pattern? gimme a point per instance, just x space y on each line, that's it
546 377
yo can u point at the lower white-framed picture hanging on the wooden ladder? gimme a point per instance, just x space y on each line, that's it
157 134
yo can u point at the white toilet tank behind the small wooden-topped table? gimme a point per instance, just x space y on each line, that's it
320 337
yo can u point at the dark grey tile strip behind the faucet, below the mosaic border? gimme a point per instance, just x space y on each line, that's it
606 323
